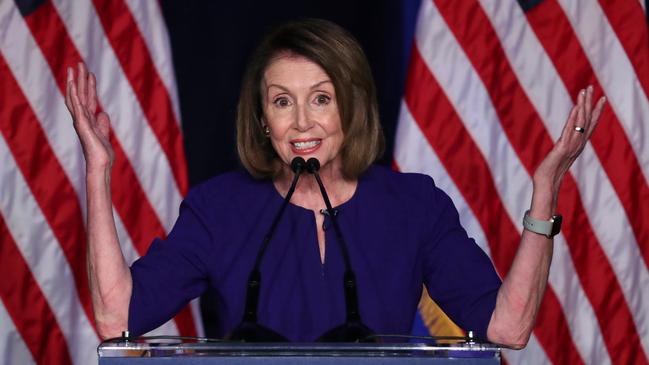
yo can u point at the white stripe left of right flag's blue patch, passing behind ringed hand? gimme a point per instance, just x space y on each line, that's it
603 206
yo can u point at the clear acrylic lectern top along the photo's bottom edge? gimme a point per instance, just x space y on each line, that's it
202 353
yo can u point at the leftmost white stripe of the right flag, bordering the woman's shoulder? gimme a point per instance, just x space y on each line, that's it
413 153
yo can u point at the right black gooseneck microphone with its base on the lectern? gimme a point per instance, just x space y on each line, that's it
353 330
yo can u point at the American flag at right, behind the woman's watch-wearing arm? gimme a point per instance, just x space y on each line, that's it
489 87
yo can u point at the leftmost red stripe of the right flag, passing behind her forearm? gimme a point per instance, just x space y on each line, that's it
457 149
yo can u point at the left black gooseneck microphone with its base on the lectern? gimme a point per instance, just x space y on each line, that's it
249 330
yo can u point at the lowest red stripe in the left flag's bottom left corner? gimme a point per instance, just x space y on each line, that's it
27 305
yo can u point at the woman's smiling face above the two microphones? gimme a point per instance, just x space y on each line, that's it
301 111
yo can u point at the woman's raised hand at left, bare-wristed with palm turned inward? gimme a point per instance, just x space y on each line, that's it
92 128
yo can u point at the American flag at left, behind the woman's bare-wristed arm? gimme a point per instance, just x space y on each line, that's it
45 308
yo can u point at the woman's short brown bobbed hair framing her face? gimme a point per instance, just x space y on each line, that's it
342 58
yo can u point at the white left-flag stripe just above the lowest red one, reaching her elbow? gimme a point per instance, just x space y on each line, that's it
47 262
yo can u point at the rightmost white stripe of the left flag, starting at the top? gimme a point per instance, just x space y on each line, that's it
150 22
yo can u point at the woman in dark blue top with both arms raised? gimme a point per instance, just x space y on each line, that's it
308 92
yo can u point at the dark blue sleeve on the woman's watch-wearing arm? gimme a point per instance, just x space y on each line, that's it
459 276
